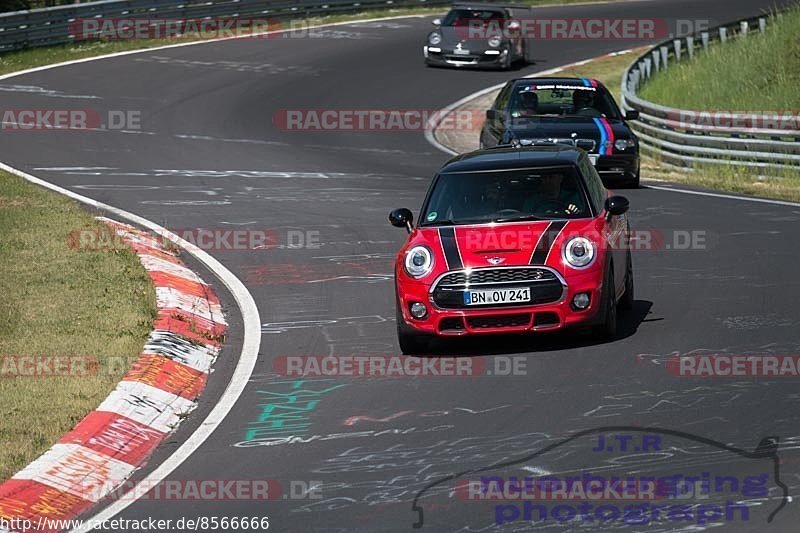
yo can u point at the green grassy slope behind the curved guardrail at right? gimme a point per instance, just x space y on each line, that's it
759 73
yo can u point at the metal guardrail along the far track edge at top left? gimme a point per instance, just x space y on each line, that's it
55 25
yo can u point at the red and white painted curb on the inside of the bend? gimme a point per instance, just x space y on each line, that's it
162 386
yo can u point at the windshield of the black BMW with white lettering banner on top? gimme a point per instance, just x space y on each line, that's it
561 101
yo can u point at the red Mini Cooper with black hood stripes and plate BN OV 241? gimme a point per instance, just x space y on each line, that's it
513 240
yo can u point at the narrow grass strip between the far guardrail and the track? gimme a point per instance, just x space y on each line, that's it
37 57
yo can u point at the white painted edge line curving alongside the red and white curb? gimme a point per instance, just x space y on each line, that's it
241 374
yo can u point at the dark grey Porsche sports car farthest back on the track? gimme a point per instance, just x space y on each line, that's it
478 35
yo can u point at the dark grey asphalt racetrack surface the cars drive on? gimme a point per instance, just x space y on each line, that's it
208 154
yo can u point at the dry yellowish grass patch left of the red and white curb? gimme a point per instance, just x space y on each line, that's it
57 301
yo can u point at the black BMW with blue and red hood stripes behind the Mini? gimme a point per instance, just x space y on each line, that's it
576 111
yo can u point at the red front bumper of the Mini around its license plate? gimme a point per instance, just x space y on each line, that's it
555 315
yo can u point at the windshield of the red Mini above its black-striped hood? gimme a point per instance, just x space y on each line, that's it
533 194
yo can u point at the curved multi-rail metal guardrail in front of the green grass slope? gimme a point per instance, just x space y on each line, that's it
680 137
